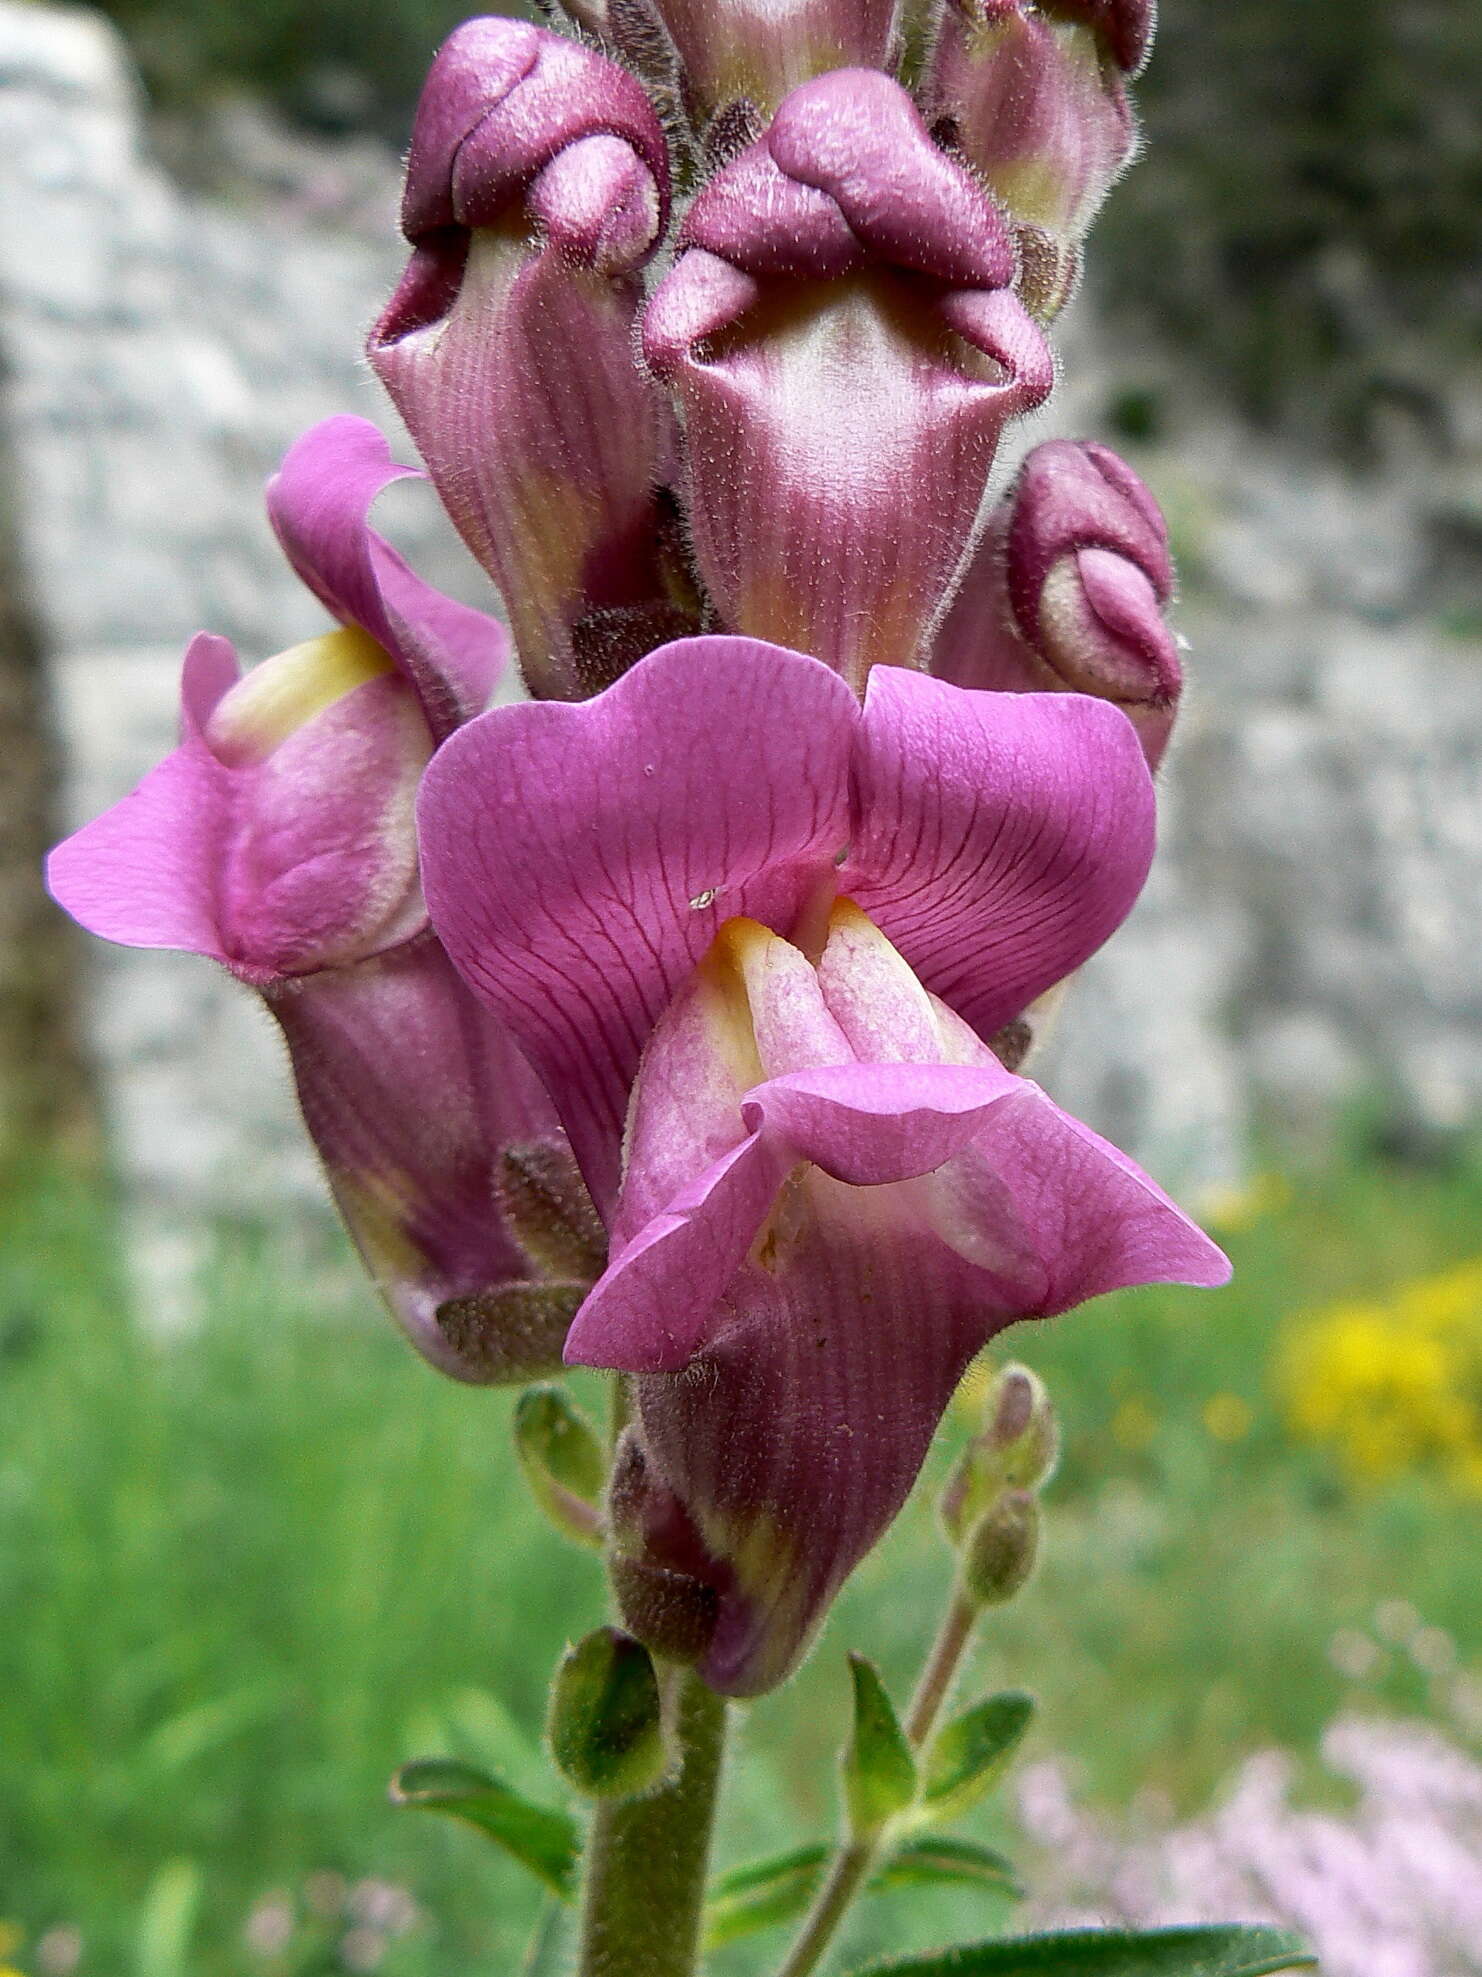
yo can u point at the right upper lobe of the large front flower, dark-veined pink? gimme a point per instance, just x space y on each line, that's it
999 839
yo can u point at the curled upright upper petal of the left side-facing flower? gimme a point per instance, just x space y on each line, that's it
319 503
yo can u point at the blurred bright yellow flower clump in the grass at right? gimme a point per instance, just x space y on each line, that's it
1394 1385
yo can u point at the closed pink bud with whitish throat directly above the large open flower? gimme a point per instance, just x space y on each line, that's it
847 351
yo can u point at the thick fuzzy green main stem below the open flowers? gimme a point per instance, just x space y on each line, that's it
647 1857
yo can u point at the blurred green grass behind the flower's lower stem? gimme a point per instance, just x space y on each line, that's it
248 1573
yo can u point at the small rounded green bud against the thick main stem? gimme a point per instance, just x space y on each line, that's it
606 1725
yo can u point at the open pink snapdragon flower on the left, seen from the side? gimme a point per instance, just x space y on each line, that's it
280 841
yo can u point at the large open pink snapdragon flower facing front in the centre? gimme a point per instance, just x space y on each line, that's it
760 948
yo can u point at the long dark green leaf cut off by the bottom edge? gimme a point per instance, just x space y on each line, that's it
1204 1952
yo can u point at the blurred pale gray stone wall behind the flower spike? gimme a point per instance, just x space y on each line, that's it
1313 924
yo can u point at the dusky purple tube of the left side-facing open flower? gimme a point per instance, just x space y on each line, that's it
412 1092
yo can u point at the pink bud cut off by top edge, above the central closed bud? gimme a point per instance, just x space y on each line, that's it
754 52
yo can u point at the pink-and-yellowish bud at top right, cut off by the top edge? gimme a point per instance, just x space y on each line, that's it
1034 100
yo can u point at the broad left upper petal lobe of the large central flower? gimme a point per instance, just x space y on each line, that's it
578 861
